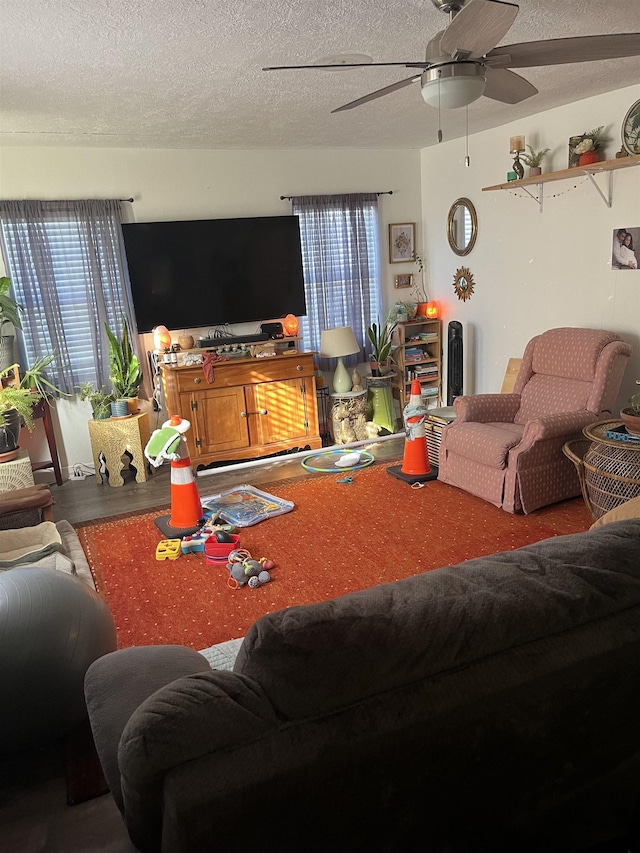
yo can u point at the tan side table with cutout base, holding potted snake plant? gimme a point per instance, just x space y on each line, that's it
112 438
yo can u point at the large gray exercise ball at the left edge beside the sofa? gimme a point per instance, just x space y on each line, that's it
52 627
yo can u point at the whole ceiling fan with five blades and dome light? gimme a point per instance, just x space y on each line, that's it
462 61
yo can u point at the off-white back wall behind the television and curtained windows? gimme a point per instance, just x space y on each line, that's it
178 184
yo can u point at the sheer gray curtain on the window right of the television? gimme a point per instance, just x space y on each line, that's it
340 255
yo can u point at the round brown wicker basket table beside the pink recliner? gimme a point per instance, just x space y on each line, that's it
609 470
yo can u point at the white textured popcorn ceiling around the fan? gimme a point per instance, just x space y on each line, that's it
187 73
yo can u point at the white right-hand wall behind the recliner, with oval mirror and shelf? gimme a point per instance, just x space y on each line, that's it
534 271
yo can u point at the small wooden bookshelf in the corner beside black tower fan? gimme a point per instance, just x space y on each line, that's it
418 355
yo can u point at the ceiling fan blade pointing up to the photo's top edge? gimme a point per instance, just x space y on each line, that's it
478 27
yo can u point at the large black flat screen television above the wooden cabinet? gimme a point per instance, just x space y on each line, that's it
208 272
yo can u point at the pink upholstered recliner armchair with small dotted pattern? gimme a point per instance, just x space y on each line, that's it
507 448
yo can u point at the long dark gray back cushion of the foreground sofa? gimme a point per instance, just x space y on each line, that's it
316 658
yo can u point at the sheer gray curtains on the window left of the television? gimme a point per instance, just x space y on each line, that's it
34 250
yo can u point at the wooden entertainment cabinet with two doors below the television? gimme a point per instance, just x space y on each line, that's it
254 407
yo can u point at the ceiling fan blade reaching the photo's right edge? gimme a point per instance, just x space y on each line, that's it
559 51
